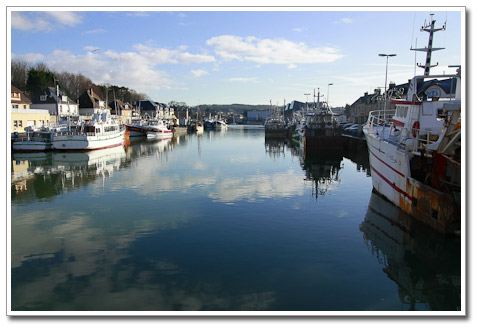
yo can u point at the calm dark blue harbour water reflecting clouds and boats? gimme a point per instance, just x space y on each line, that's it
225 220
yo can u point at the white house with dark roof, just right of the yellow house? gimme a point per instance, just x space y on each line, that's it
56 102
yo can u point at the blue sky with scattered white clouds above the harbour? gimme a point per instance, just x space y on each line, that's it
214 56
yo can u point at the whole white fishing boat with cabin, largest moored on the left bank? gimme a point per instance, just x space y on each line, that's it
99 133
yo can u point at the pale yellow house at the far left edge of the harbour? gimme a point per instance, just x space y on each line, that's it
22 115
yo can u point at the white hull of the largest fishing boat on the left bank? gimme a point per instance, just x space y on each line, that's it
87 142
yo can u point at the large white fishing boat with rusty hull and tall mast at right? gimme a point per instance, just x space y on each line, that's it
415 150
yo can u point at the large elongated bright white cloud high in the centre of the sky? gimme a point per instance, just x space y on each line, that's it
270 51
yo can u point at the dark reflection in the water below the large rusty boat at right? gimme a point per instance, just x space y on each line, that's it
425 265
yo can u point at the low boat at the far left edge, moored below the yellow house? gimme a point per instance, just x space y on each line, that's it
37 139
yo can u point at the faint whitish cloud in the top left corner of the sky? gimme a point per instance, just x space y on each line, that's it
44 21
